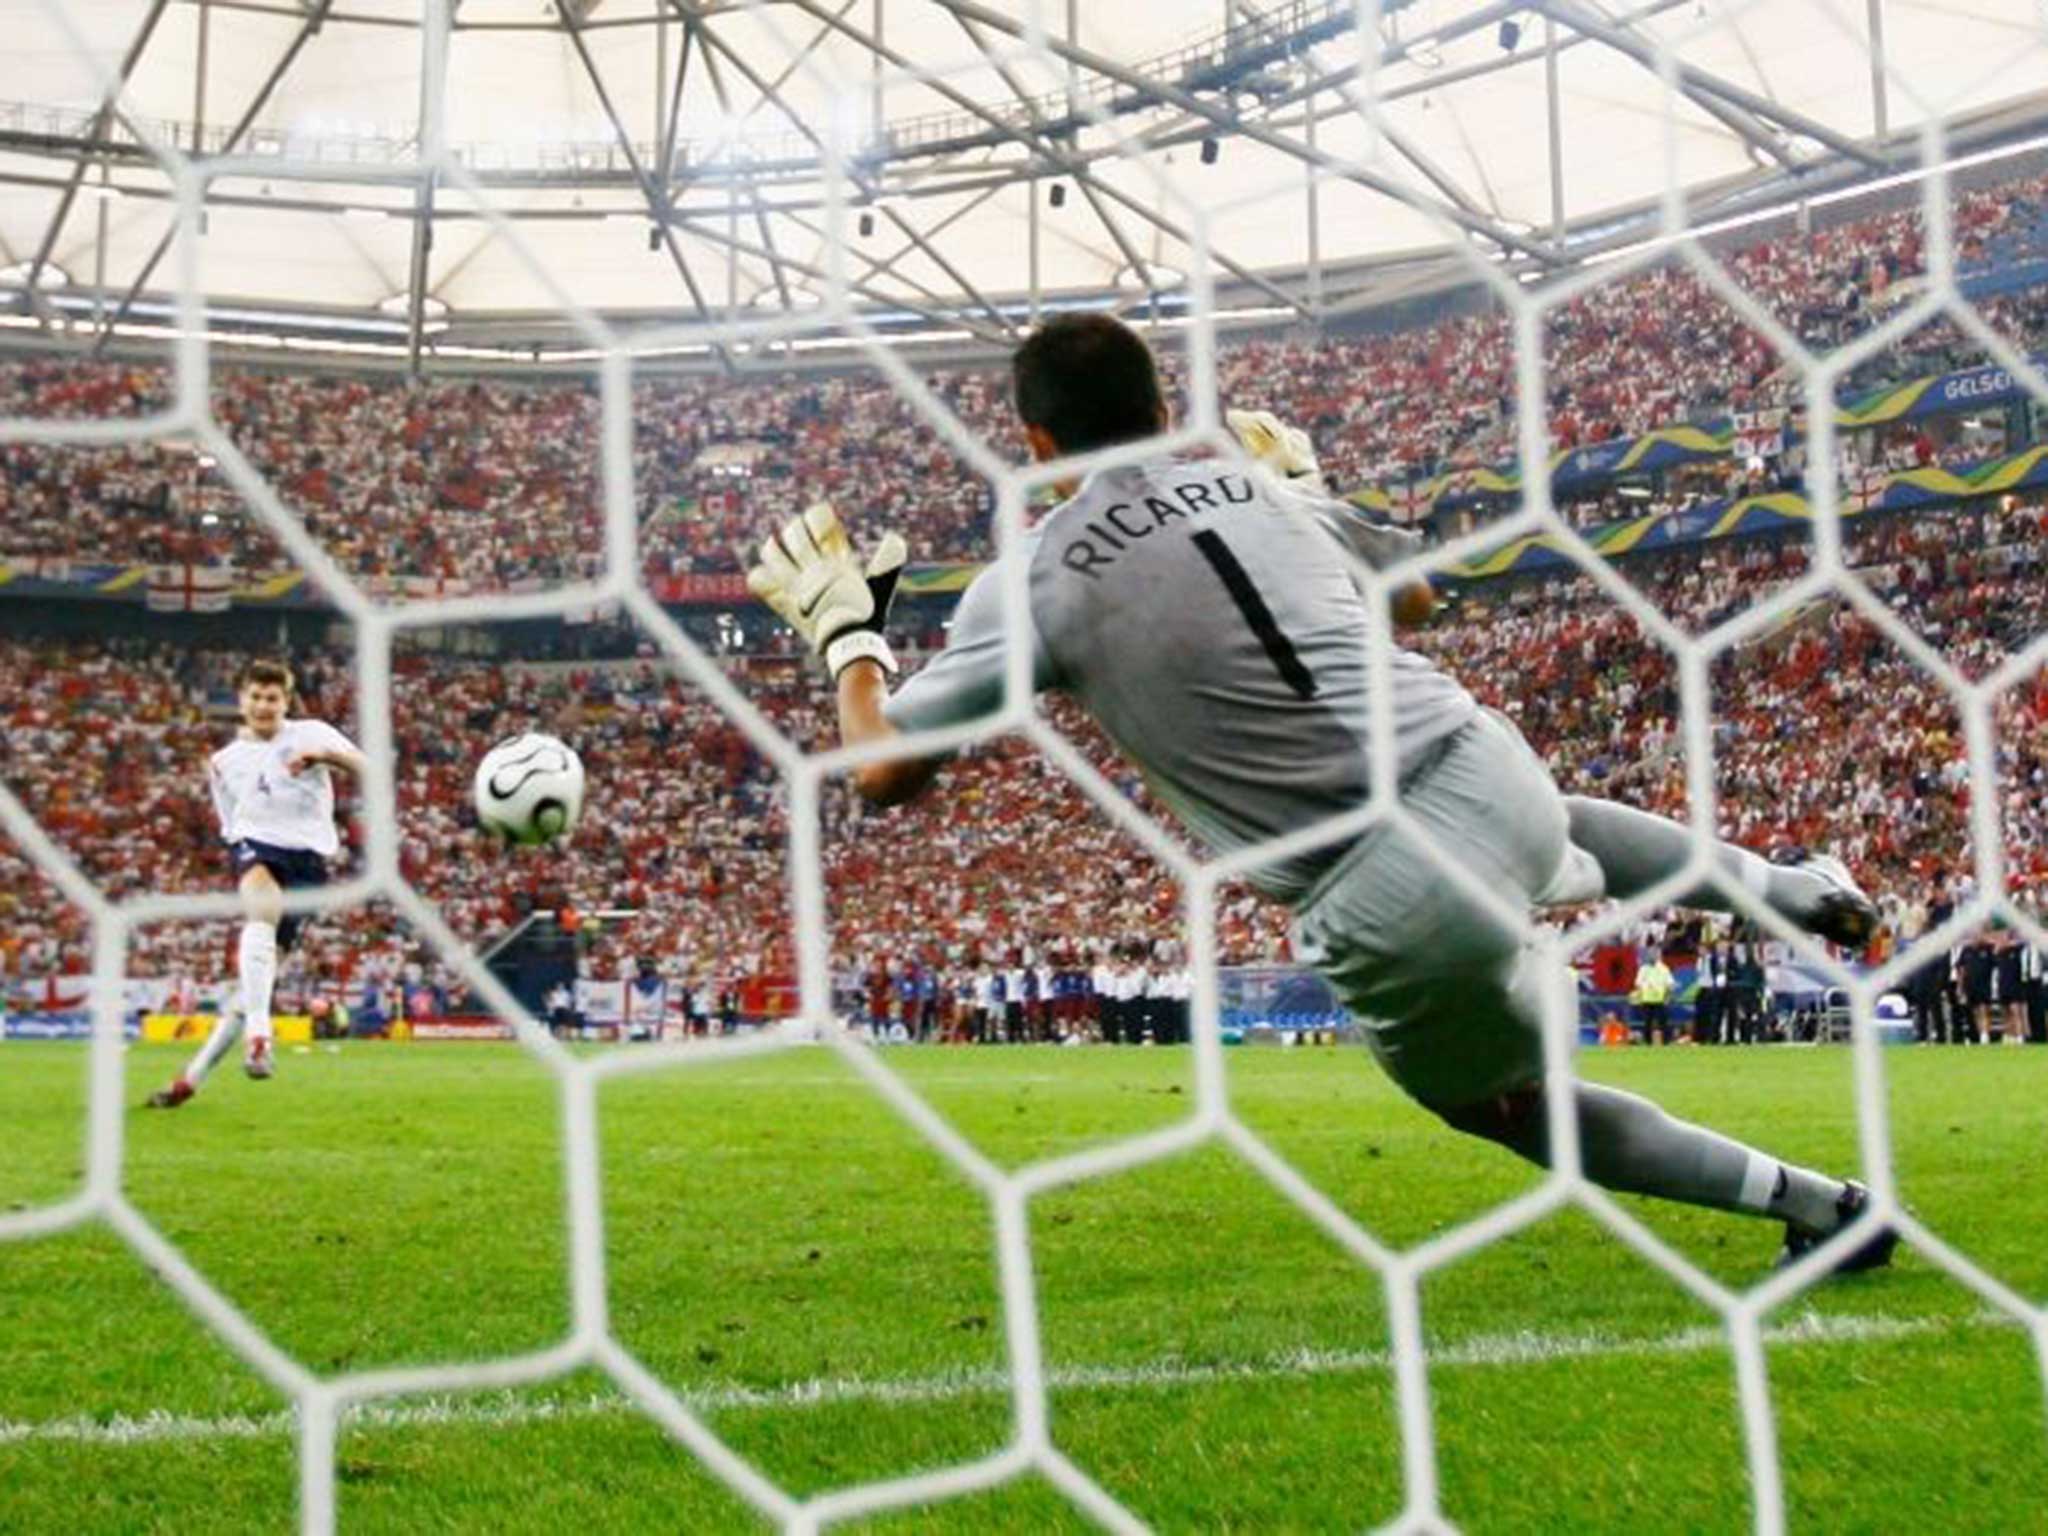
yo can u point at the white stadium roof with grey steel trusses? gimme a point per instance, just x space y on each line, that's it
679 159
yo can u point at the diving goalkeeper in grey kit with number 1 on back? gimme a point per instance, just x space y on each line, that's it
1199 613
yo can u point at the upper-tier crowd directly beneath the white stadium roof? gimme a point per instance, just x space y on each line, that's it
493 484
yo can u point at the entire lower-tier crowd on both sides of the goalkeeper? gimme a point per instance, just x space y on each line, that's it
1826 738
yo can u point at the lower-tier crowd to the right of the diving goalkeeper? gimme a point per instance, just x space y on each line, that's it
1803 757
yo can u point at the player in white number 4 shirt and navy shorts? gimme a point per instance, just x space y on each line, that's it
275 798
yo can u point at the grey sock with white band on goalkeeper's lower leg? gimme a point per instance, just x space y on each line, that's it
1633 1146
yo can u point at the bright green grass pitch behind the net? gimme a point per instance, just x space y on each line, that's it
792 1258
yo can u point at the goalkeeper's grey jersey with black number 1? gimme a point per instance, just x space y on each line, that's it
1203 615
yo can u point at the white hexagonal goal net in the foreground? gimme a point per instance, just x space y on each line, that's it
327 1402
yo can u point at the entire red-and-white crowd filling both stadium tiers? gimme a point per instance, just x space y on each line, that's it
470 484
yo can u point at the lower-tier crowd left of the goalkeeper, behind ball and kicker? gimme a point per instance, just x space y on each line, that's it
108 742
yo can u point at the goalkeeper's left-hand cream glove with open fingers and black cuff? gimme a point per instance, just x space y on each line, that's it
812 577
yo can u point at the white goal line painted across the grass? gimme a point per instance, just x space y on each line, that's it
499 1408
